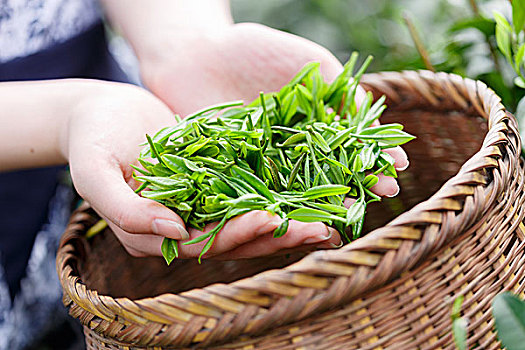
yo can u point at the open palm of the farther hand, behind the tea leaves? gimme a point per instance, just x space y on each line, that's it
236 64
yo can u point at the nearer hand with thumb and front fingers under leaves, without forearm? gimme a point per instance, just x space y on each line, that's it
103 138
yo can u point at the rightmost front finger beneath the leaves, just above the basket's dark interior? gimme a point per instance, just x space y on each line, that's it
298 236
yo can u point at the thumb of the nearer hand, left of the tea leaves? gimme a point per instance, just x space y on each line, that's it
111 197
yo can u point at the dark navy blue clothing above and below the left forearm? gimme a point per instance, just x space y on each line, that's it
24 195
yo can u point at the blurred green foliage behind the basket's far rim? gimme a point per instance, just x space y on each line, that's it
459 35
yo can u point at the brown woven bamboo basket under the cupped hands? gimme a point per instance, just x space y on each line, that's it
455 229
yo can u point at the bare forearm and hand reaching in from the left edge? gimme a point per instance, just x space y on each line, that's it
98 127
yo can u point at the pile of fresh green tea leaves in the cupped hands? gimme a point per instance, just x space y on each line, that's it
296 153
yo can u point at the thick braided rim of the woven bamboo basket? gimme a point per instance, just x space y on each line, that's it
327 278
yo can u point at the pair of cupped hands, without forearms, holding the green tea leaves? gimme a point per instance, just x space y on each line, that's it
236 63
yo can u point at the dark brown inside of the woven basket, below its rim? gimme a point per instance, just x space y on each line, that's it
445 140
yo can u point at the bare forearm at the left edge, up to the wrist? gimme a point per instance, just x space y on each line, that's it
41 111
